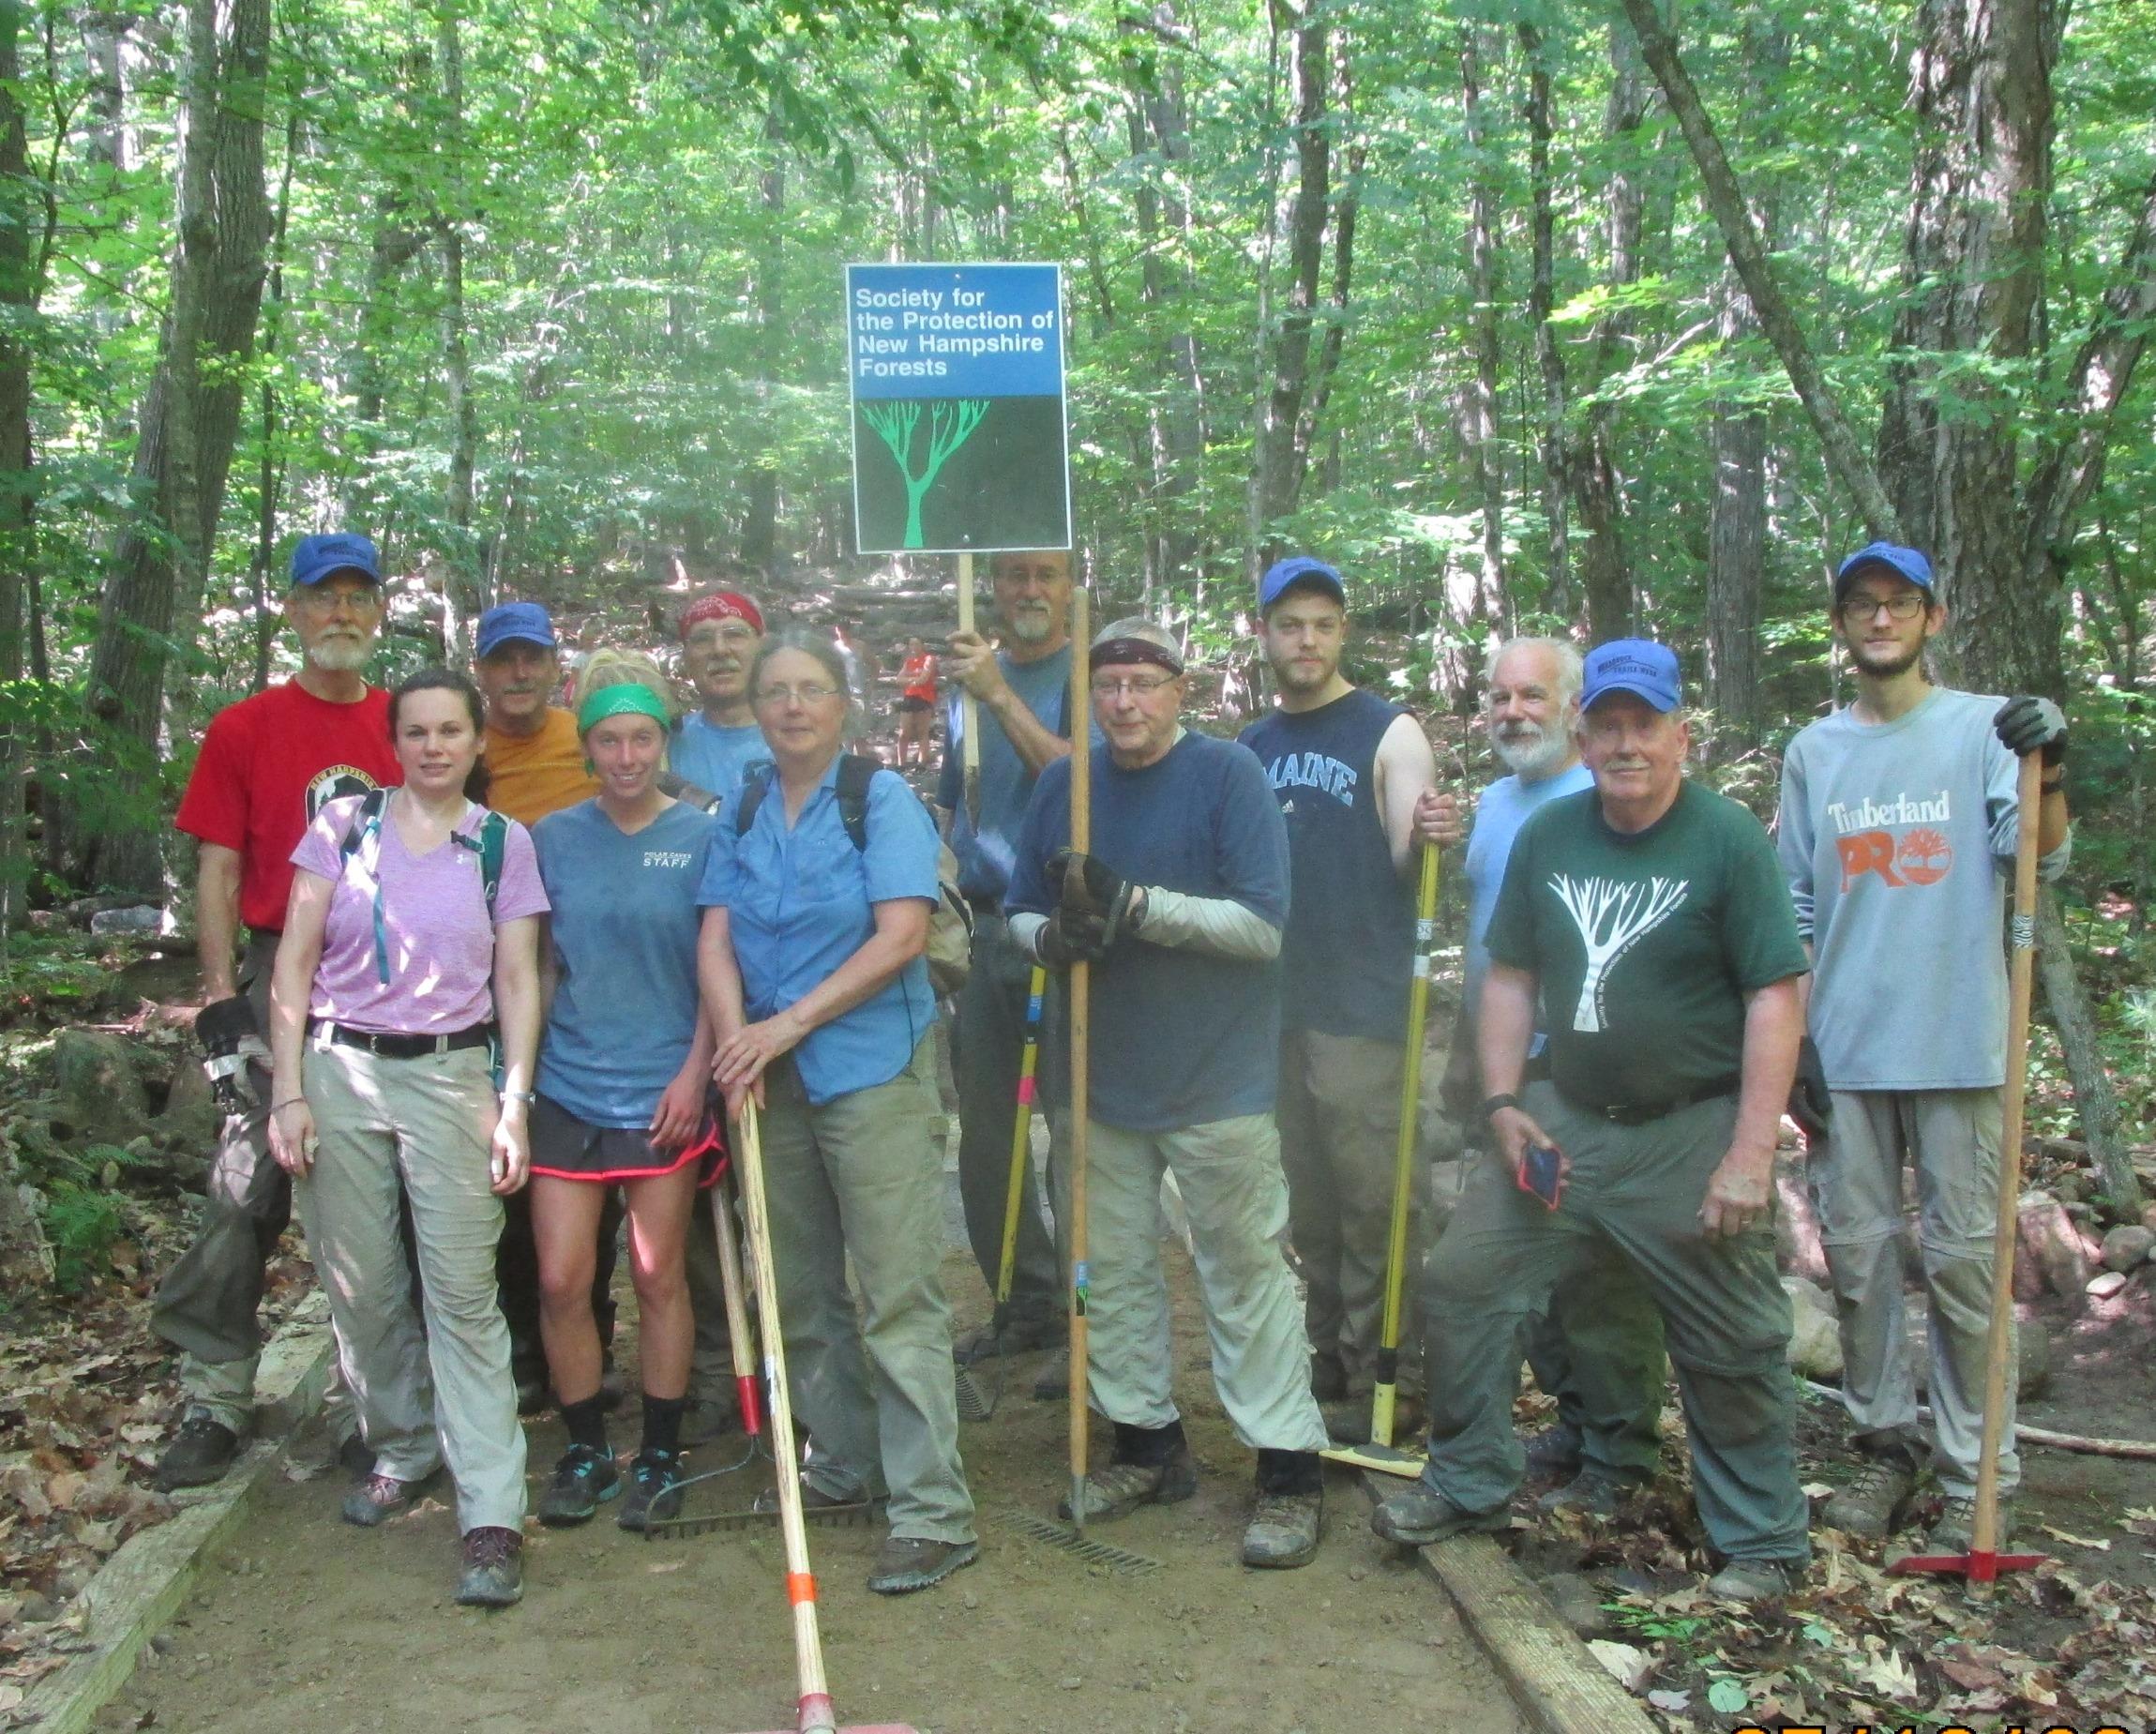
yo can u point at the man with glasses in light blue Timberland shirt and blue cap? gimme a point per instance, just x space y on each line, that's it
1898 827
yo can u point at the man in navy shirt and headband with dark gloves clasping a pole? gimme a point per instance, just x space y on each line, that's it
1180 907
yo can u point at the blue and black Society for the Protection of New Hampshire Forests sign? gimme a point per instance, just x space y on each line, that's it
960 441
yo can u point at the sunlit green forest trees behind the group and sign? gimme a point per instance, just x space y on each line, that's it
1528 316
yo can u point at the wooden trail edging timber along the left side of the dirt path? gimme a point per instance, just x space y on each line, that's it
143 1586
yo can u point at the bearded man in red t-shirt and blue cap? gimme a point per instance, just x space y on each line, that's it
268 765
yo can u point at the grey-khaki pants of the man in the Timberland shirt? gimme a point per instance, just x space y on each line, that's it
1952 1140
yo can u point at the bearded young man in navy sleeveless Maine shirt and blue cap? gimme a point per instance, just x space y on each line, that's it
1357 784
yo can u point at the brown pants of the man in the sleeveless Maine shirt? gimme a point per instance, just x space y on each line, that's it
1340 1138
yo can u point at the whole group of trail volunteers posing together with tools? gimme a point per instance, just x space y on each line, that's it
559 987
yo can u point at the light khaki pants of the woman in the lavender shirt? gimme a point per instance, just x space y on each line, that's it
447 1392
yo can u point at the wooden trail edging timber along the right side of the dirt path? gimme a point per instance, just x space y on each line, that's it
1553 1677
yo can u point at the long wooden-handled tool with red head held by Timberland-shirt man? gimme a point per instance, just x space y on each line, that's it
1985 1563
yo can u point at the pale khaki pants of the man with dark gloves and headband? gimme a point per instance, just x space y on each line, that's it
1230 1179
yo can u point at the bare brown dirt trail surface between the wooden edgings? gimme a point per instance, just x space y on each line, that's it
309 1625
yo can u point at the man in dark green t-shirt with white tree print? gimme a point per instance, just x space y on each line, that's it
1650 920
